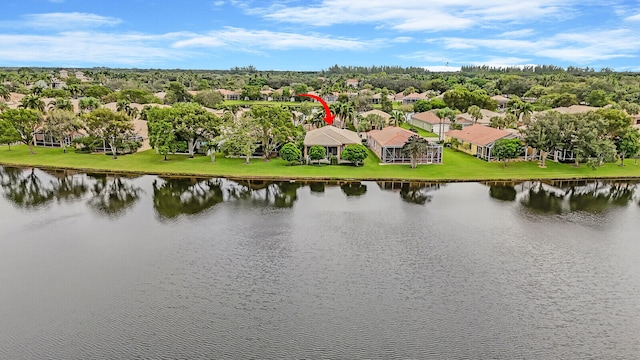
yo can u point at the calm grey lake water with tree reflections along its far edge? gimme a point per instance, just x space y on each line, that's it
104 267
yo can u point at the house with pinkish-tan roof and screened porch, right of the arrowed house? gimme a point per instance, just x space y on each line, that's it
388 142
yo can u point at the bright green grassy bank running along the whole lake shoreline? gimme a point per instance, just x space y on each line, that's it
457 167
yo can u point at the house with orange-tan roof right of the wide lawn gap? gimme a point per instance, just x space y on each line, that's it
478 140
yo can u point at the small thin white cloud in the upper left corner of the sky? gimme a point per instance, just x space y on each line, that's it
64 21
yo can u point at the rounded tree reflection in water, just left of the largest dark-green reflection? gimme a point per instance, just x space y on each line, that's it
113 195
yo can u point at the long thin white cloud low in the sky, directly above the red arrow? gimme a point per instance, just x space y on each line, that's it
251 40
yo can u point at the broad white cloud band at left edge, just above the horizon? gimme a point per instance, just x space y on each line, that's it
89 47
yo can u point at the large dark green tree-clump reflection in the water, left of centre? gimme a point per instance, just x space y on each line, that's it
173 197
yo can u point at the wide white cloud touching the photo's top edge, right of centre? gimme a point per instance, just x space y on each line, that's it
416 15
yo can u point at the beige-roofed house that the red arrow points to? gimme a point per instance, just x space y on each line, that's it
333 139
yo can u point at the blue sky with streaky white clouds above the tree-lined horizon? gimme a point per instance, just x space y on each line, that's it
316 34
